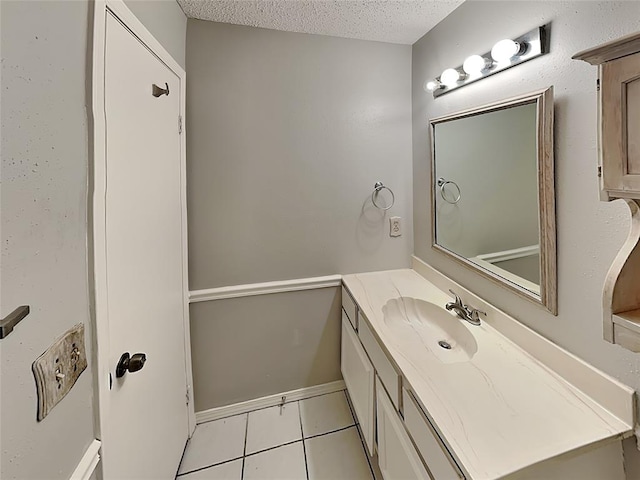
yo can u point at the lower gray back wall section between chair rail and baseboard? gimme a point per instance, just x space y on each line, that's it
244 348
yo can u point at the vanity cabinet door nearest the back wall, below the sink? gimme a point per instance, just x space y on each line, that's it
358 375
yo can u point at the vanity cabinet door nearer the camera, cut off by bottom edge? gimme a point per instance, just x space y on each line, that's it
397 458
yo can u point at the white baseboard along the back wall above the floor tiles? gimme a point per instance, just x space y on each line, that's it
268 401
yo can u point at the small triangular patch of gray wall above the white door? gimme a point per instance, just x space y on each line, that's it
166 22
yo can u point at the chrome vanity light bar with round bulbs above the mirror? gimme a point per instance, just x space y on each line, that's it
505 54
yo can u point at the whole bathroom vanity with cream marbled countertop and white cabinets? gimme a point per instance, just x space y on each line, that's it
439 398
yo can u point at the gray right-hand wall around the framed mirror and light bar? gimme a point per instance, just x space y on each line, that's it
590 233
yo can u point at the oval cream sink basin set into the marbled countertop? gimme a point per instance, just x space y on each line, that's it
417 323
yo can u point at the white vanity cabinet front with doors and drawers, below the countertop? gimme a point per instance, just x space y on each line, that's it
375 387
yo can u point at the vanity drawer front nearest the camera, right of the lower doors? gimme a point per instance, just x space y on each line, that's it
430 447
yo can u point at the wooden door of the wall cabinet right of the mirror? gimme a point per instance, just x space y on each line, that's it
620 97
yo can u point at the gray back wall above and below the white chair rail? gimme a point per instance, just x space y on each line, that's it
287 134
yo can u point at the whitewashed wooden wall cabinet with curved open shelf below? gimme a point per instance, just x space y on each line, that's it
619 169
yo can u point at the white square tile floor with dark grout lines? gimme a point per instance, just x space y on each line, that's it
311 439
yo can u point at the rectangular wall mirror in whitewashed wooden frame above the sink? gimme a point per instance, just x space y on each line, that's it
492 193
